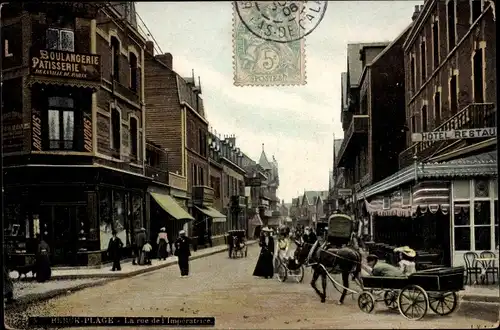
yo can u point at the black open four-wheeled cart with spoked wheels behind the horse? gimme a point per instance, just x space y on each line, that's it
433 288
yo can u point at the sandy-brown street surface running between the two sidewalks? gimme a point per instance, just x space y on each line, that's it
225 288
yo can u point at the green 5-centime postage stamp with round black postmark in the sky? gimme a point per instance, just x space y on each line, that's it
266 54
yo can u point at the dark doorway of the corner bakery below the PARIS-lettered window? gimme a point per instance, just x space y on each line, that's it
65 235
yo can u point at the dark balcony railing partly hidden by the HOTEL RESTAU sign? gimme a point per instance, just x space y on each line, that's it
475 115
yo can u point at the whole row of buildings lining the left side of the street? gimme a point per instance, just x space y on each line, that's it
101 134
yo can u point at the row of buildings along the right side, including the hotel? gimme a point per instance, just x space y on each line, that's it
427 191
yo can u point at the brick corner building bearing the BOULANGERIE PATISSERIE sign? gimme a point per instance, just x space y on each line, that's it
73 113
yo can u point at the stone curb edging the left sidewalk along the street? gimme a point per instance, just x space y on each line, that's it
21 303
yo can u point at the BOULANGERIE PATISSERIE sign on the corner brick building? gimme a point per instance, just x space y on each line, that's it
55 63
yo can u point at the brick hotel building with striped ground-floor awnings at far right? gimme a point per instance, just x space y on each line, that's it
449 185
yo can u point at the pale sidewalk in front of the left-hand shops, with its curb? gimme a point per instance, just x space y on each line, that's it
66 281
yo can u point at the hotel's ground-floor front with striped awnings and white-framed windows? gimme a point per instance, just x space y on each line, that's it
420 215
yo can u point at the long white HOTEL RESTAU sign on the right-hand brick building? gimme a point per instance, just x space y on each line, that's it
471 133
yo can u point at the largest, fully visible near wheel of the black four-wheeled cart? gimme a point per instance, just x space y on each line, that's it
413 302
